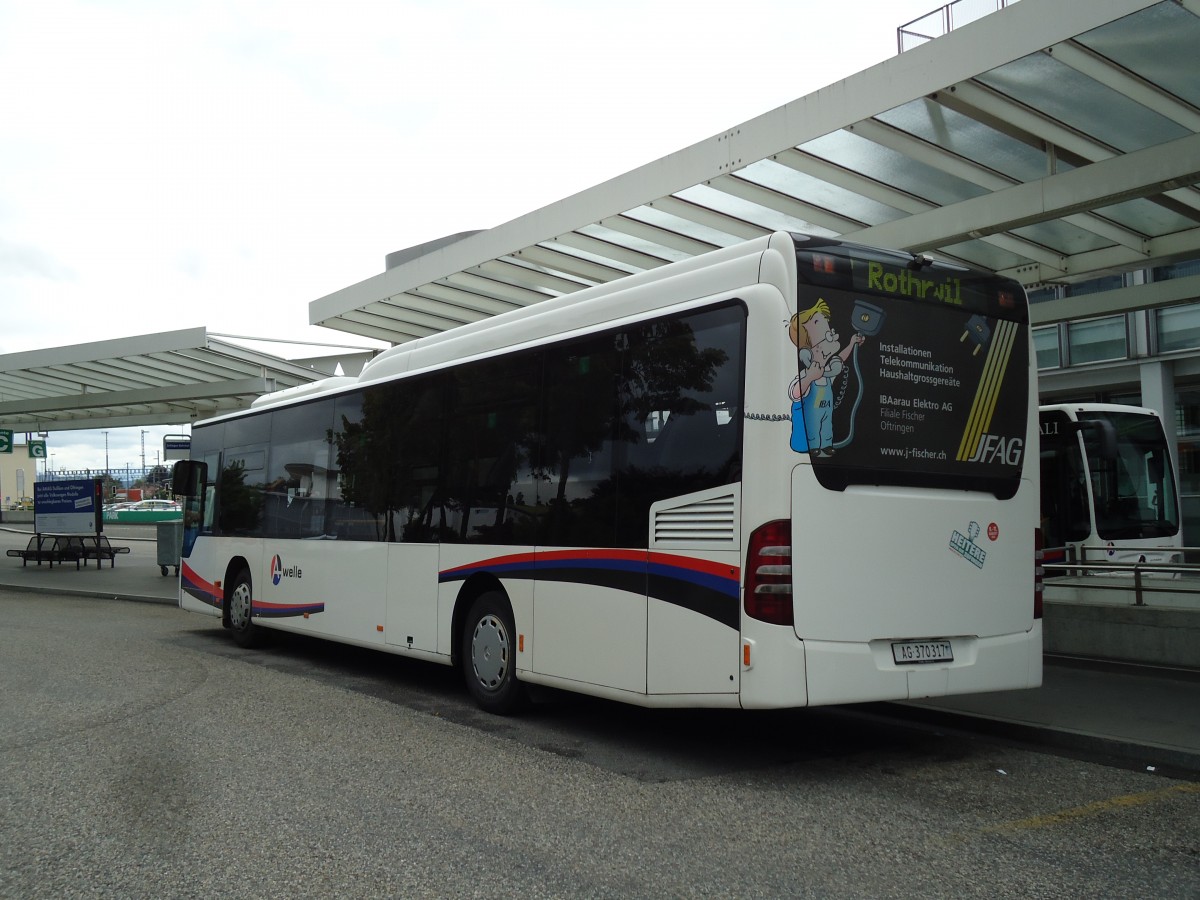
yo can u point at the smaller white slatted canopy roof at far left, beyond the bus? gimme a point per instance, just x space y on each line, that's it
167 379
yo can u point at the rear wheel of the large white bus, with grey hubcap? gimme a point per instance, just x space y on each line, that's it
488 656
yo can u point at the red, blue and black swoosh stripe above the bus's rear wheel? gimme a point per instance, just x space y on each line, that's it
705 587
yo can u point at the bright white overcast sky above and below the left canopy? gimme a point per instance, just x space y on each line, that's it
171 165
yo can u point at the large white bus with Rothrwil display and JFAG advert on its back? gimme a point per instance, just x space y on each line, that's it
789 472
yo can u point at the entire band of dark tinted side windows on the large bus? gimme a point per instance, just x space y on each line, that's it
566 446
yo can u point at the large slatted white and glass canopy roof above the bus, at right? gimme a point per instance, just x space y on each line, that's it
1053 142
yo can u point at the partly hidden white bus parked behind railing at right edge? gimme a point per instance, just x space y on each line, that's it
1108 485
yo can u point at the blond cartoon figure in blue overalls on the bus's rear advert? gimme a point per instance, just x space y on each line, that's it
823 358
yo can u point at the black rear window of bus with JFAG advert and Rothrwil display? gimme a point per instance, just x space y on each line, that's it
910 375
